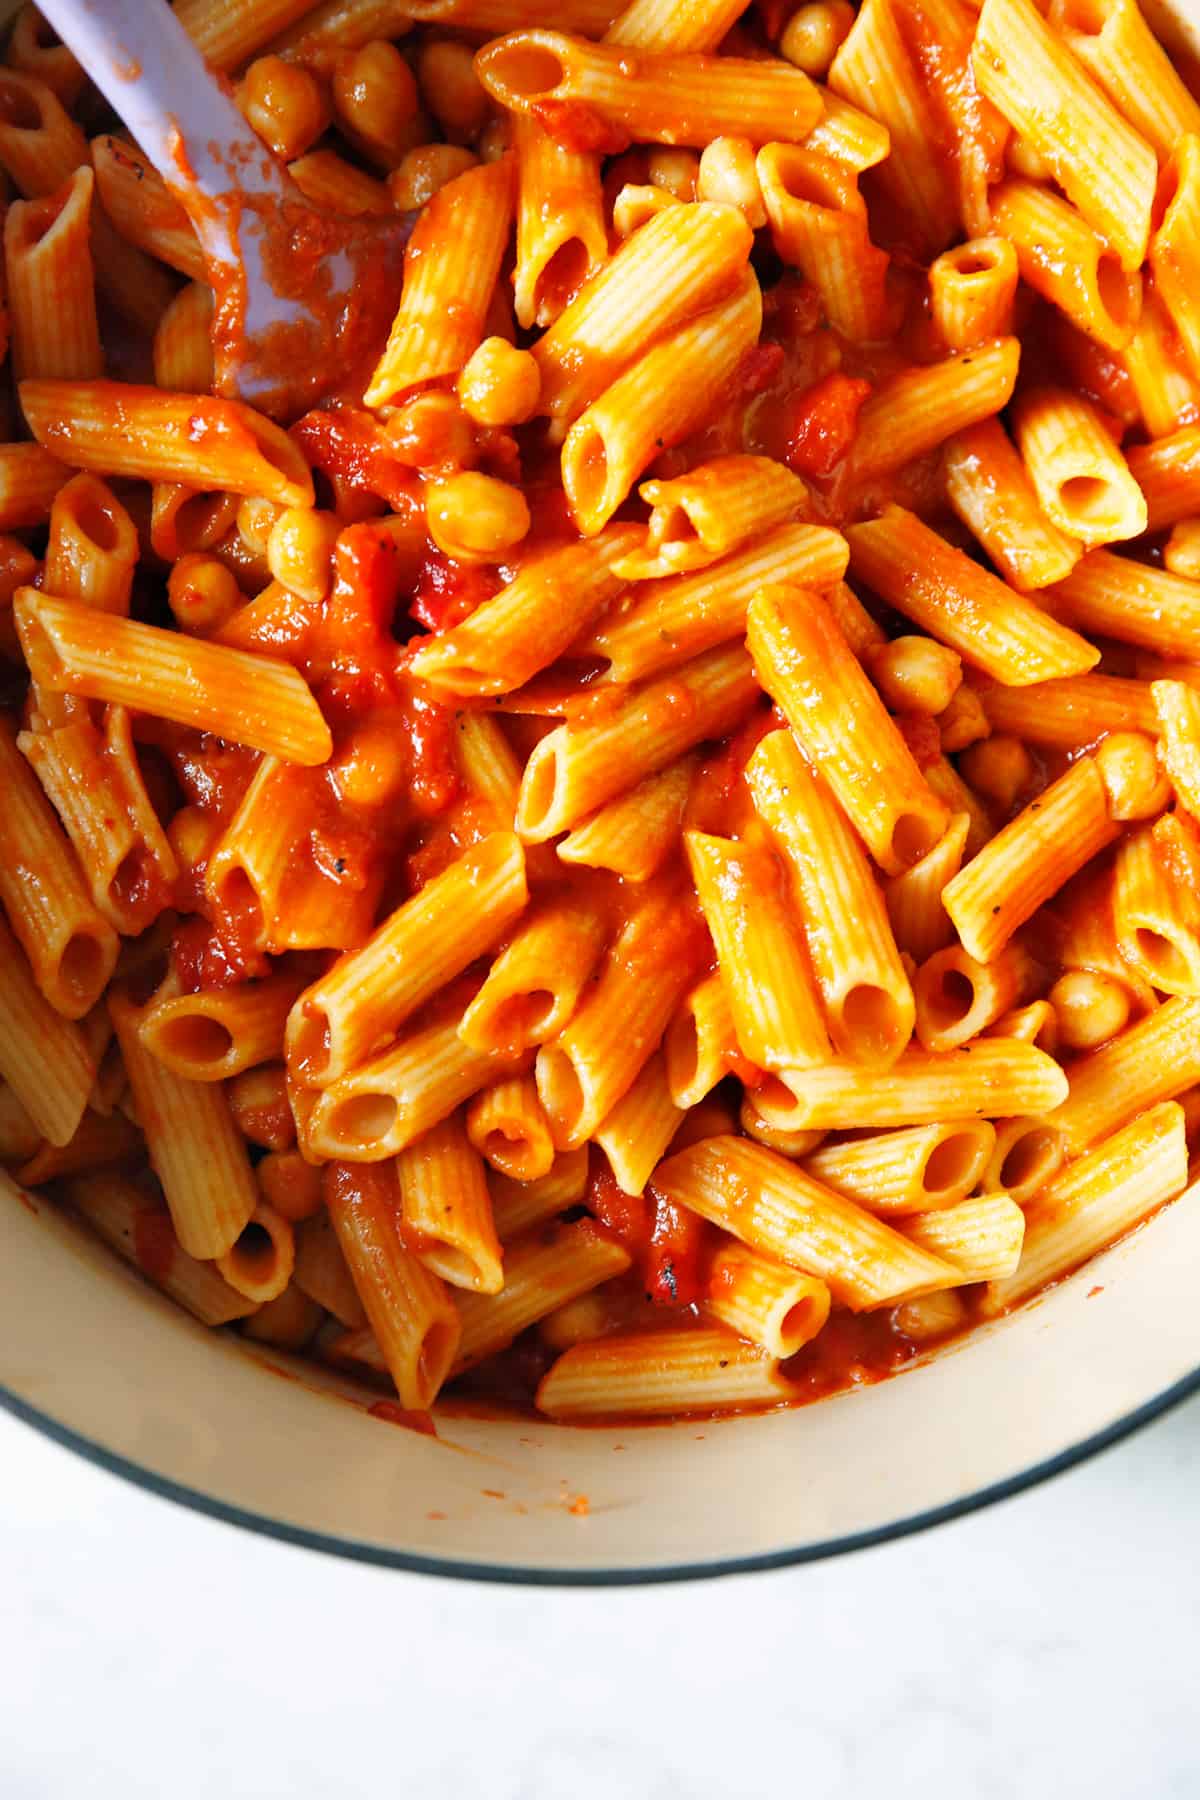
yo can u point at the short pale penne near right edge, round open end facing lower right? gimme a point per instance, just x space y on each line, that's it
1082 481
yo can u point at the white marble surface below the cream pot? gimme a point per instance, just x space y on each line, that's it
1048 1648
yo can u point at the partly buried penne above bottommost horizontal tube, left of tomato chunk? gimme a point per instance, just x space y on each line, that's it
542 1270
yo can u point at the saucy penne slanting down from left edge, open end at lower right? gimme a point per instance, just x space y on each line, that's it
71 946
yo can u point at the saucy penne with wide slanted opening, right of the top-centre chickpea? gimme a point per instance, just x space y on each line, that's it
819 226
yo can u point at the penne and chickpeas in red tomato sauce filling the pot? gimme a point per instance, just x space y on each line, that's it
623 940
